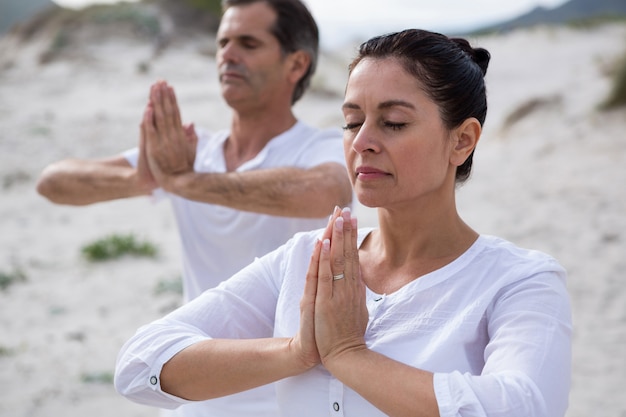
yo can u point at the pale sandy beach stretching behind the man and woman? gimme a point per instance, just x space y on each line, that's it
549 174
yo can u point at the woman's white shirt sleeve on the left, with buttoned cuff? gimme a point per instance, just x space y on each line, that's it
241 307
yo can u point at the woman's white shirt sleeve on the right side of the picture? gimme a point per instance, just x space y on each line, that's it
527 360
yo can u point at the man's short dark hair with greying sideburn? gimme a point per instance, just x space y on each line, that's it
295 30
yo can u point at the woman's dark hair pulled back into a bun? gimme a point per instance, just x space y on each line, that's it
449 70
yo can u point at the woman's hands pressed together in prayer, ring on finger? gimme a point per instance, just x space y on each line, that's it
333 313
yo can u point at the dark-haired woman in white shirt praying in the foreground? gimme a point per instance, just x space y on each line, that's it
422 316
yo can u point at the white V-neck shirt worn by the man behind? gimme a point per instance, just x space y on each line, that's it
218 241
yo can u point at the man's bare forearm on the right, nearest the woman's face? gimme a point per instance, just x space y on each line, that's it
289 192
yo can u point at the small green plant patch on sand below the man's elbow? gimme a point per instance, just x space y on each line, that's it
116 246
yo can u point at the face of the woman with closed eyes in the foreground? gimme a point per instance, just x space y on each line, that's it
396 147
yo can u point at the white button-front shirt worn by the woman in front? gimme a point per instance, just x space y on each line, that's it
494 326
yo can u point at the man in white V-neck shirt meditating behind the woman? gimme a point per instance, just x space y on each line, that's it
236 194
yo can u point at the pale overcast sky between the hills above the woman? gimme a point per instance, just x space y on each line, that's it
343 20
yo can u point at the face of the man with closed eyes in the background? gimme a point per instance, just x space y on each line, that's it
252 69
